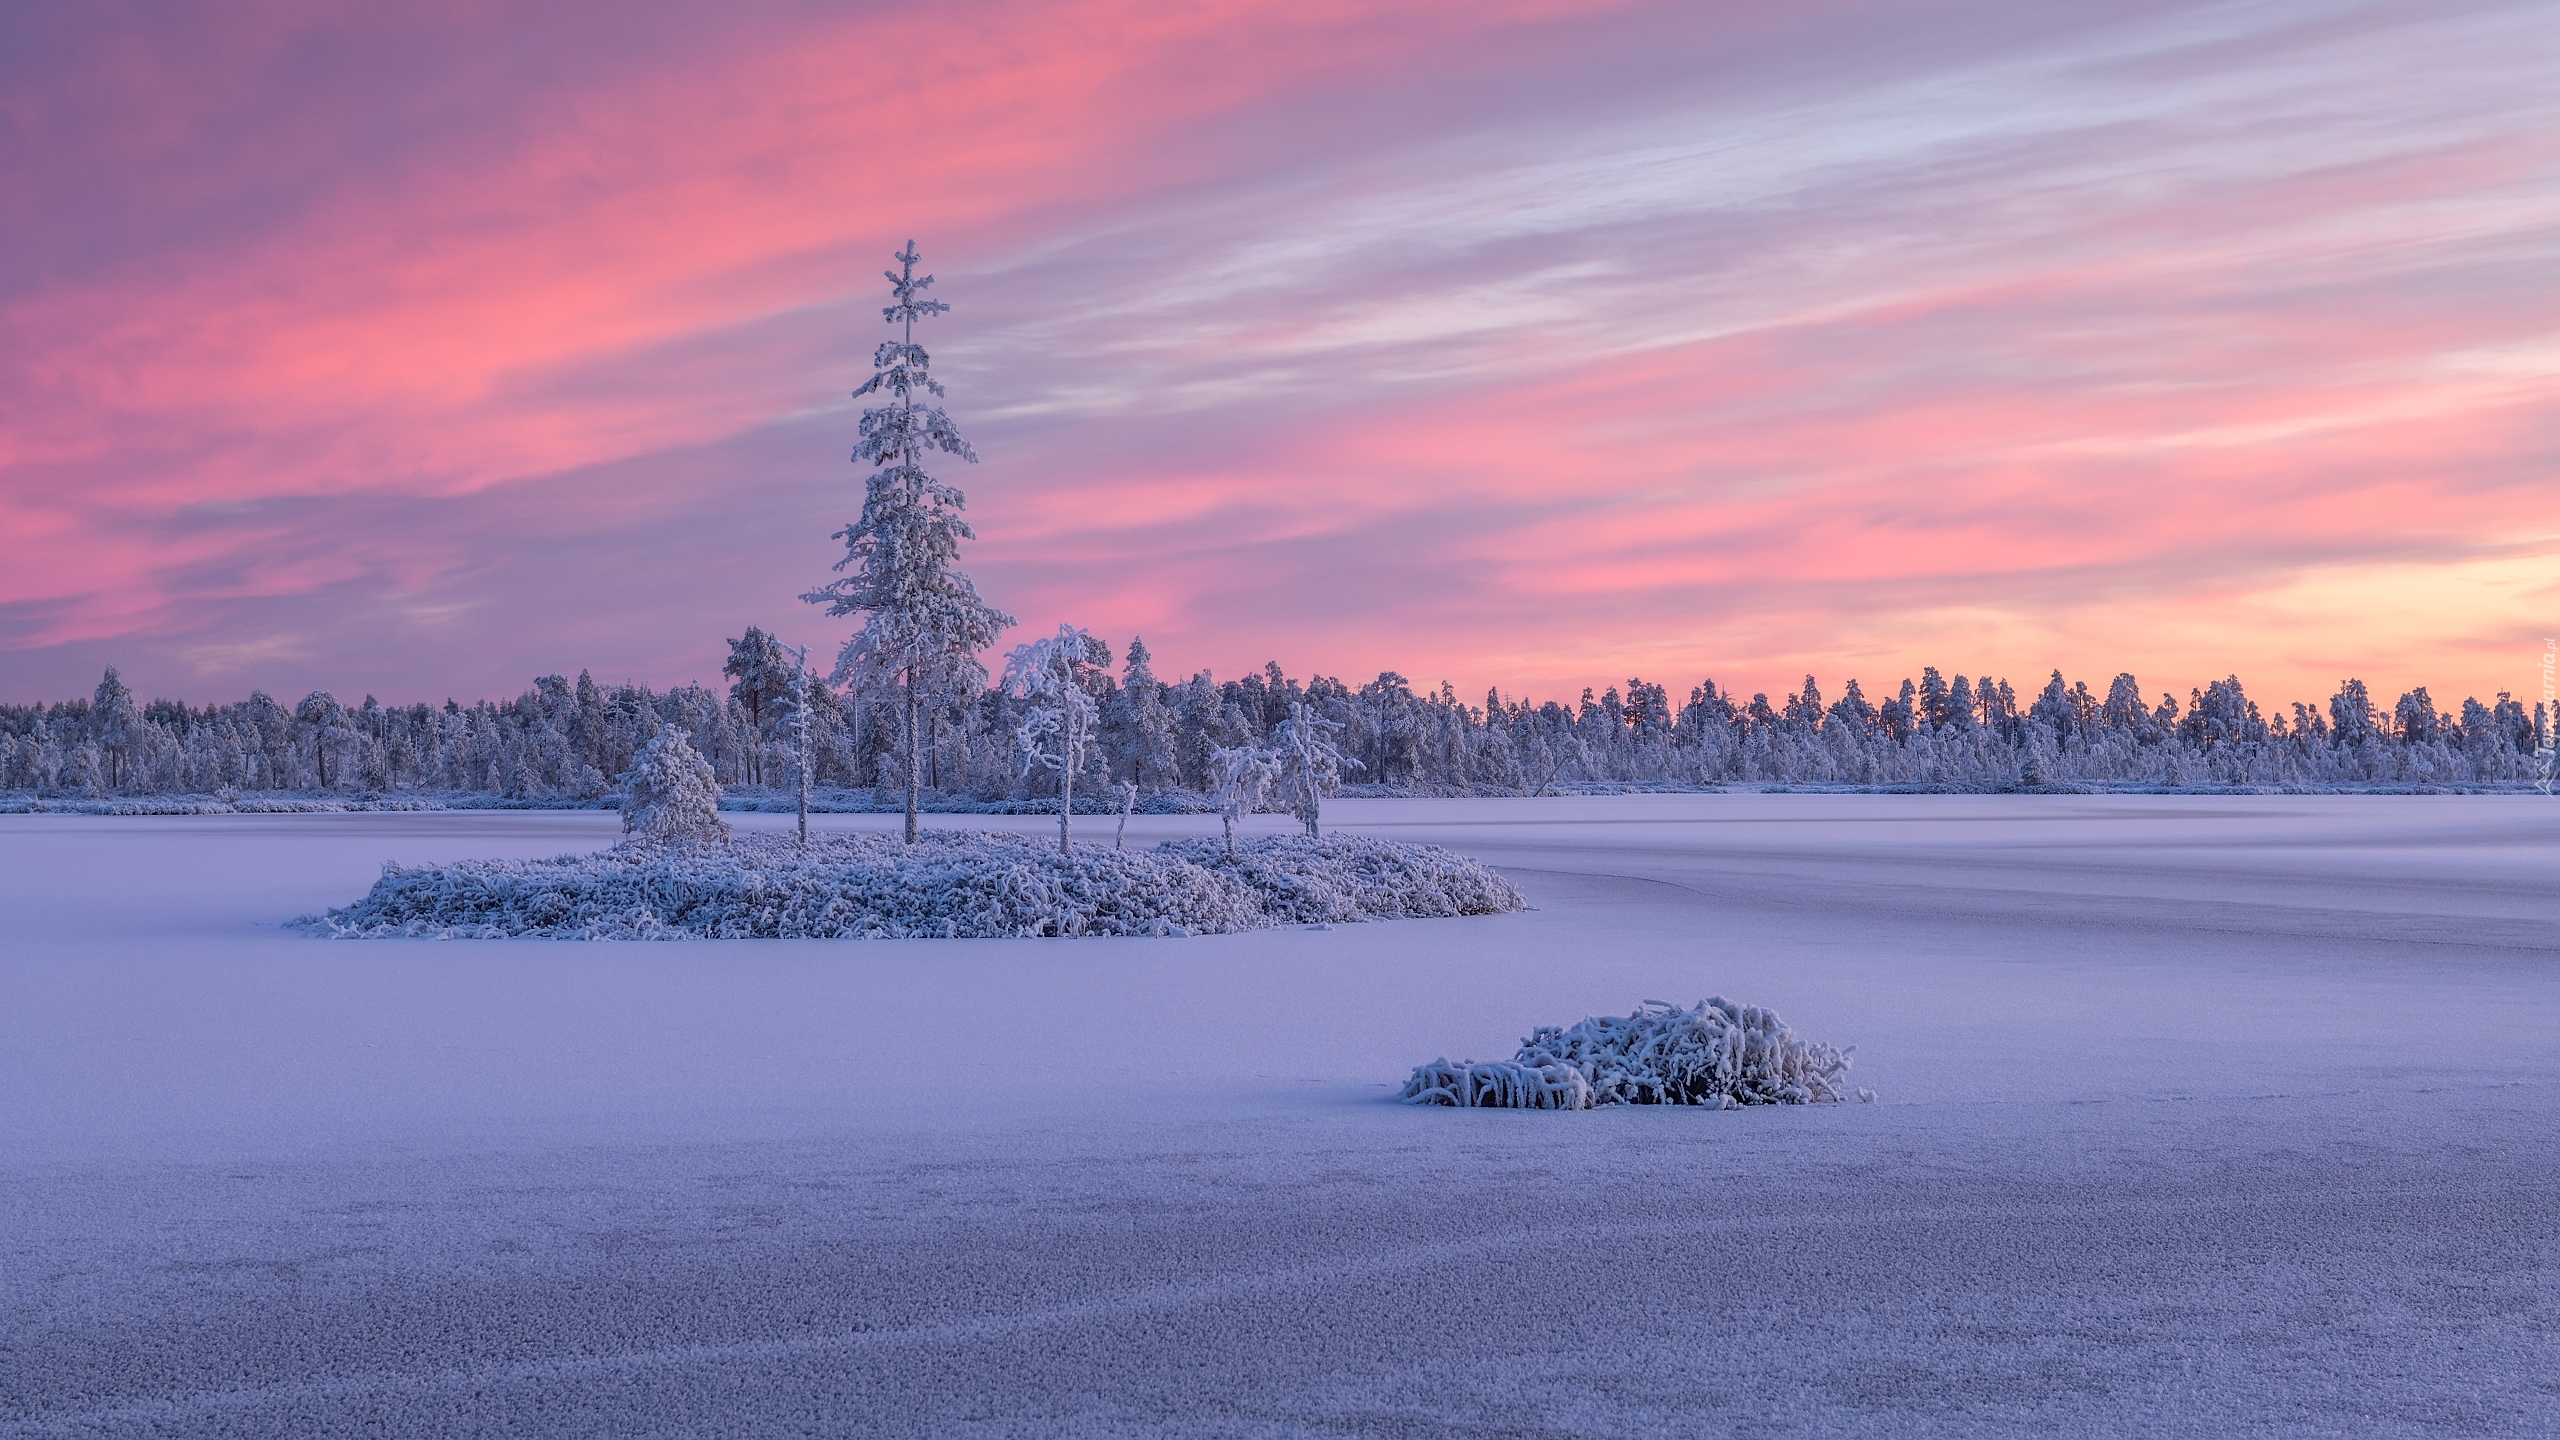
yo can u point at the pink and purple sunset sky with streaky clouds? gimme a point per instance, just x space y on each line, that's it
1507 345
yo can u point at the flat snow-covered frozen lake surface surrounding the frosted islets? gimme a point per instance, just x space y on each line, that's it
2198 1118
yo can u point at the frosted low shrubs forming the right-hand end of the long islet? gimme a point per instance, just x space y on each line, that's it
1356 878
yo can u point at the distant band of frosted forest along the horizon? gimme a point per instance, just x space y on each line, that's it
572 739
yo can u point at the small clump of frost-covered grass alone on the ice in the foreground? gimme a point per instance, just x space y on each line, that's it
1719 1054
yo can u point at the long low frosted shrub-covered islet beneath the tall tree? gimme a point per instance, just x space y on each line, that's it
946 885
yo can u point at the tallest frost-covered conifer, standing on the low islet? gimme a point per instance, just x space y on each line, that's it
923 621
